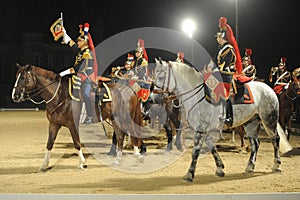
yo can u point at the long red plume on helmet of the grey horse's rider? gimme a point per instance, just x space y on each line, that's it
231 40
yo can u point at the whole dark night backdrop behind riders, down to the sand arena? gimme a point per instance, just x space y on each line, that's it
268 27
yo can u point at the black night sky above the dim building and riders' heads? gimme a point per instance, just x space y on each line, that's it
268 27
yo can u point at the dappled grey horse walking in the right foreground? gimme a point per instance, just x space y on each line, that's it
203 117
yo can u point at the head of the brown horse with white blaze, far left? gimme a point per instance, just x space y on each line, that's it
25 82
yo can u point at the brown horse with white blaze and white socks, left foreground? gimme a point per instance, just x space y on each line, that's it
62 110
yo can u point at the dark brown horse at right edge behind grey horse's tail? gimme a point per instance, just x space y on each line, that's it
288 105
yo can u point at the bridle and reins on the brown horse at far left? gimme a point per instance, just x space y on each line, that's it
29 94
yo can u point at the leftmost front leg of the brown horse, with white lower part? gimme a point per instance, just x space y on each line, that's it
53 131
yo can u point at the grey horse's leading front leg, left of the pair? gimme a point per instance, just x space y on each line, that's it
198 141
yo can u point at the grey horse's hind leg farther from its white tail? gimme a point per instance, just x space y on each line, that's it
251 128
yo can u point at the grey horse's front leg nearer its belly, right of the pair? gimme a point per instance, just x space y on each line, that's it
213 150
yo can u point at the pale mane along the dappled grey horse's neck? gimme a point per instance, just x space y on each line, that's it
189 73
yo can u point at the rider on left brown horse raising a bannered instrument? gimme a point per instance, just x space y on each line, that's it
85 66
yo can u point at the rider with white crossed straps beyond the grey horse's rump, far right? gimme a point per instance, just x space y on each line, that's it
280 75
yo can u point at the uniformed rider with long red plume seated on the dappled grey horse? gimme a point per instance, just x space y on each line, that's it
228 62
